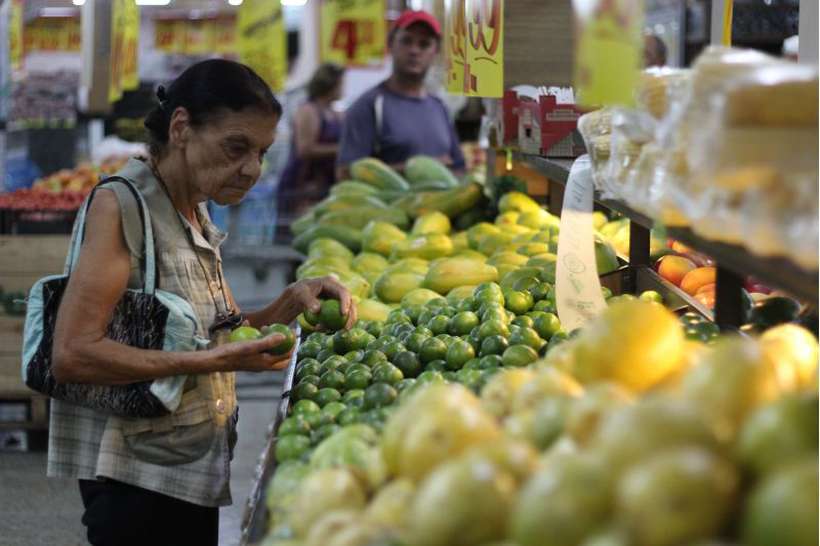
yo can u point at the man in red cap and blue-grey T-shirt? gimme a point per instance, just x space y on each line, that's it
398 118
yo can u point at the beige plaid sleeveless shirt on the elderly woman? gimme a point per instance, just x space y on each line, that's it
185 455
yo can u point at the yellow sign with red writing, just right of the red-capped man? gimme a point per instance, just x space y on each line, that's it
474 47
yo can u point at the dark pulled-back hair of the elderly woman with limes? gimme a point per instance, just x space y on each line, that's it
206 90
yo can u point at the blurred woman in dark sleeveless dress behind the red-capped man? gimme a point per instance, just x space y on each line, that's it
310 171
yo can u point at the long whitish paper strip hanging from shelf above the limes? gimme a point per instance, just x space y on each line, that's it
578 295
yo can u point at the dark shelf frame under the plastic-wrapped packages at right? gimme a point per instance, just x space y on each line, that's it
733 262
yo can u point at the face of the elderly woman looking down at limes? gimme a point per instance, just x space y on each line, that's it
224 156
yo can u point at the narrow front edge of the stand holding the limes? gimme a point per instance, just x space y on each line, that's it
255 517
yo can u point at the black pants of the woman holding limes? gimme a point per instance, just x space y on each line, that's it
118 514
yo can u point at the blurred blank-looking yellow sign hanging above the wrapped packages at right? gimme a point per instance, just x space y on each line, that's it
609 51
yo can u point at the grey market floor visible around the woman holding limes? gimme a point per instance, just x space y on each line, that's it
35 510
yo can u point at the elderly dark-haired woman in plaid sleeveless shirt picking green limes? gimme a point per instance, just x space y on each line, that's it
161 481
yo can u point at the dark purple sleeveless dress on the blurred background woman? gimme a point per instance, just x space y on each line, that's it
312 176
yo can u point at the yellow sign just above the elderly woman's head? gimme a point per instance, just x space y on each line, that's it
261 40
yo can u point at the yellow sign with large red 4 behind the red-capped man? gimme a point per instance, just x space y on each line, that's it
353 32
